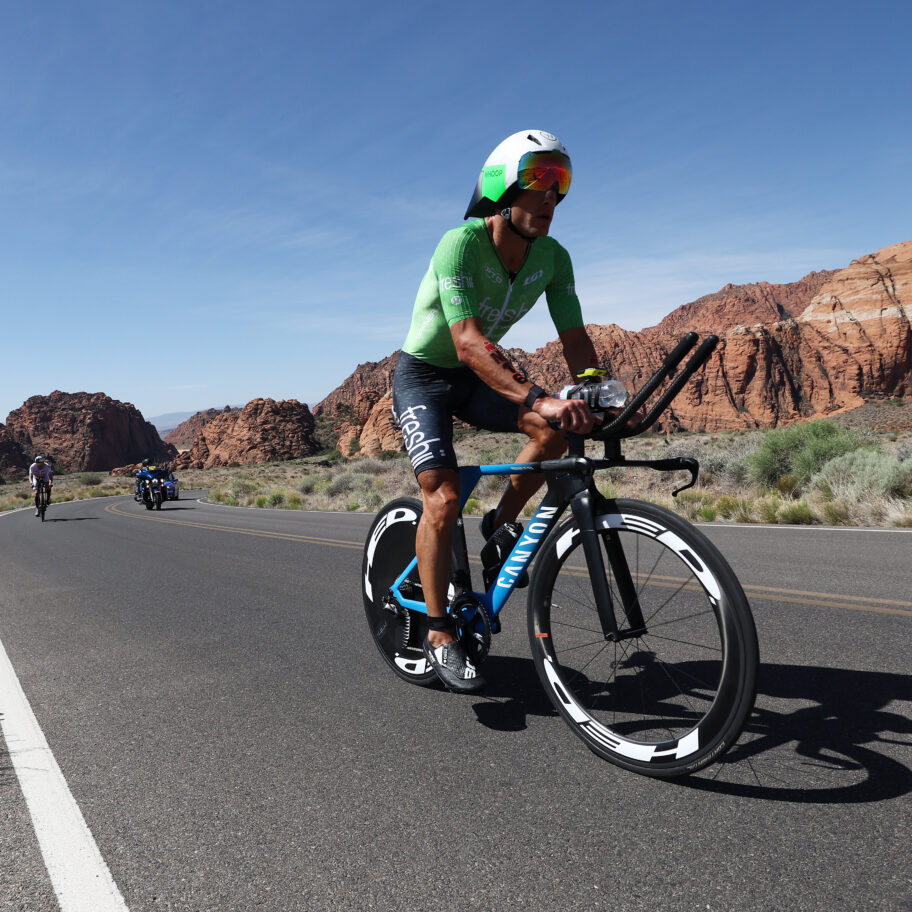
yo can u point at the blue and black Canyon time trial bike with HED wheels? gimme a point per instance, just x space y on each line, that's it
640 632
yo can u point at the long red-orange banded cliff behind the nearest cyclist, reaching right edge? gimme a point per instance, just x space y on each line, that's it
818 346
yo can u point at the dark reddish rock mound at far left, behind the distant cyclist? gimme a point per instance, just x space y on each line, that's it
85 432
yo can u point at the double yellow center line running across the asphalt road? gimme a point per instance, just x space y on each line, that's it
765 593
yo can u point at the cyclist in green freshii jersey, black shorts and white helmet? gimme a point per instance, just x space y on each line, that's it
484 276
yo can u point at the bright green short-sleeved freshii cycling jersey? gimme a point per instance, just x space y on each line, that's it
466 279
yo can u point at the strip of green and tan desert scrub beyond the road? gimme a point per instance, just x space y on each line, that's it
815 472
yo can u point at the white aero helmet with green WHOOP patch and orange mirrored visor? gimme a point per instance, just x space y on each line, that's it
528 160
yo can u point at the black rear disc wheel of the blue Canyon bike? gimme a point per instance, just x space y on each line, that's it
397 631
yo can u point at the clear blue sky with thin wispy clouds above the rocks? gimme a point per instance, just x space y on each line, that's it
205 202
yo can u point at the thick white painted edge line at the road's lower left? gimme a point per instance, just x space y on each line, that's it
80 876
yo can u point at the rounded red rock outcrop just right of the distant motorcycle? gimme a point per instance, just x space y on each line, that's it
263 431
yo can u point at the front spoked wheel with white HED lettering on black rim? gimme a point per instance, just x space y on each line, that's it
672 700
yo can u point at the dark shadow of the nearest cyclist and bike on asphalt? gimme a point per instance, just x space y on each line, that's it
816 735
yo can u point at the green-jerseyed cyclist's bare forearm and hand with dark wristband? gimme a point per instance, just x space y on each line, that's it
491 364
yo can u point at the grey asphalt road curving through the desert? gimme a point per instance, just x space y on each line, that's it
206 682
